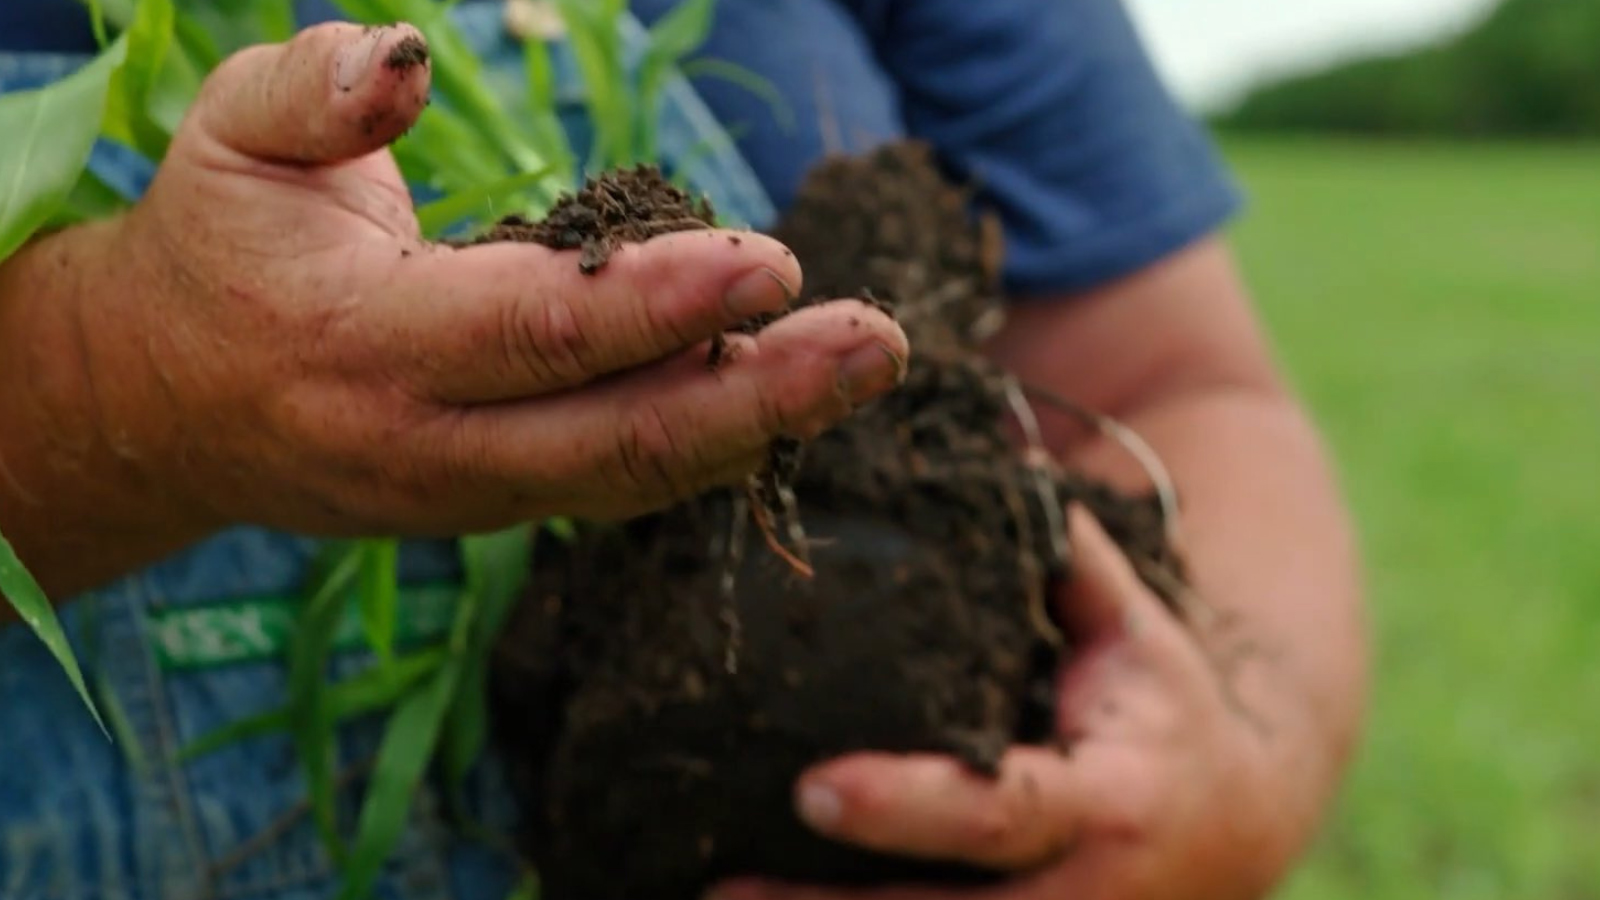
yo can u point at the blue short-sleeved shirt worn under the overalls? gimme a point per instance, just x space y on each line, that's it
1050 106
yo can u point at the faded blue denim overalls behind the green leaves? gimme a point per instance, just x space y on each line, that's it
87 819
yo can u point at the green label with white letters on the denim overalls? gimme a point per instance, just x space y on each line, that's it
260 629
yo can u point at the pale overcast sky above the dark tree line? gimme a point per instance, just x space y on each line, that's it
1210 49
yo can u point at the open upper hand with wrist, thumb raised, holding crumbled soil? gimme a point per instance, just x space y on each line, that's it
268 340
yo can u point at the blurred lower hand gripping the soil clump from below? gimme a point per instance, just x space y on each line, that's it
1167 794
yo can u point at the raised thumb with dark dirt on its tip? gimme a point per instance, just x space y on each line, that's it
334 94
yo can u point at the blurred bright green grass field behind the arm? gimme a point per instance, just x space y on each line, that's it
1441 310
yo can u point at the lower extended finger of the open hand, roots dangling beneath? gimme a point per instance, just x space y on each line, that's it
641 441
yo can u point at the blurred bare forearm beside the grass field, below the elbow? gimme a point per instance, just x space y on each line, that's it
1271 552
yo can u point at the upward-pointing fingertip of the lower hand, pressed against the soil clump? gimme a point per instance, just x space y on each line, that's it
1105 592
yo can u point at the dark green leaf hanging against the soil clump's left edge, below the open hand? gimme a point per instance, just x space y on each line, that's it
497 571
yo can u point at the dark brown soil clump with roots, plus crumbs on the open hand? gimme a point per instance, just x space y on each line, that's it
668 680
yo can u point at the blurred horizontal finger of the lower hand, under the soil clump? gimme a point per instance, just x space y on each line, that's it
937 808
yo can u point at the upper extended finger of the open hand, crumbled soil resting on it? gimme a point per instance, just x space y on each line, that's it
513 321
